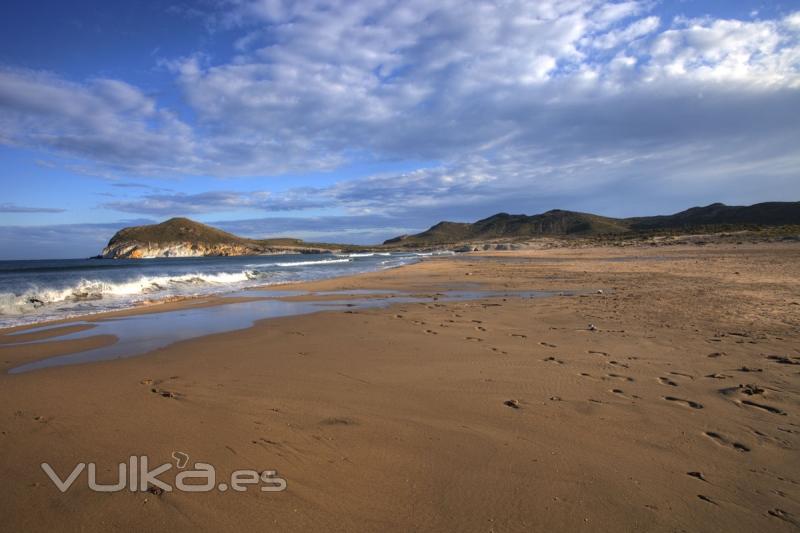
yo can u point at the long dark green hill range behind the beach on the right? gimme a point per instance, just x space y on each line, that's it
560 223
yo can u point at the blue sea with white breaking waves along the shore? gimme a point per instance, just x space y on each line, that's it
43 290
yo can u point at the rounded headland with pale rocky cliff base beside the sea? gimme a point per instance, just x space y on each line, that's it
181 237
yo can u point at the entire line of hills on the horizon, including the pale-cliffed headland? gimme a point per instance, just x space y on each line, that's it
183 237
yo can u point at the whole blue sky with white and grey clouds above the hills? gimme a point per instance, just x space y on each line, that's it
359 120
